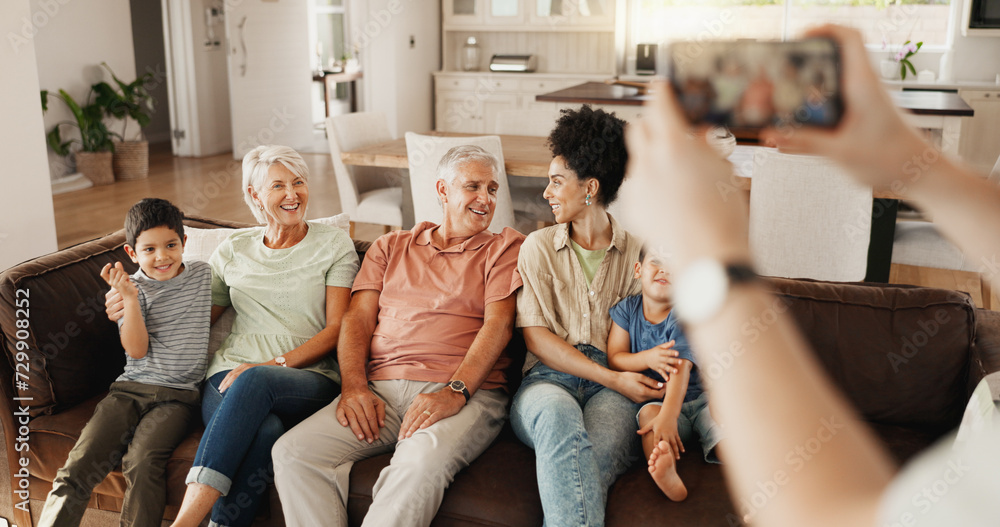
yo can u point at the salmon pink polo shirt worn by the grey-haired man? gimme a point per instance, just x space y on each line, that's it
433 300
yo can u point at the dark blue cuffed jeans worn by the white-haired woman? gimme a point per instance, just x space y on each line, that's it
241 426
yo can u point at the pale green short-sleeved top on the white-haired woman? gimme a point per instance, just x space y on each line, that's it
279 294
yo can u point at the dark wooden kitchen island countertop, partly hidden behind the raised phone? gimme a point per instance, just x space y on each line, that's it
918 102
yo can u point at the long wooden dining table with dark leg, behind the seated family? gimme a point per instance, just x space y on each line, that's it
528 156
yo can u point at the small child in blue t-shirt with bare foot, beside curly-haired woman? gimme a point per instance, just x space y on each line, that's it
645 337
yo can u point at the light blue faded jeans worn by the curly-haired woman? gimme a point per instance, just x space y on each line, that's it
584 438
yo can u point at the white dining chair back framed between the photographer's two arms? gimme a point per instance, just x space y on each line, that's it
808 219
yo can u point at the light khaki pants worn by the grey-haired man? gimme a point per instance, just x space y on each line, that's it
312 462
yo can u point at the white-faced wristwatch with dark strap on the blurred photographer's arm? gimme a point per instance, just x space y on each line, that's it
703 287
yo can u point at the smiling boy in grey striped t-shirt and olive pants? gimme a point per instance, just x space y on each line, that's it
152 406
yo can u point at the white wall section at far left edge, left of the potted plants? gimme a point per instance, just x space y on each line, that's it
27 223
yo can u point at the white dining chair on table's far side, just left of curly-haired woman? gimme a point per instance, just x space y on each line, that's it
526 192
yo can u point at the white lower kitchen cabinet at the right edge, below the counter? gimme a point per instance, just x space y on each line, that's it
979 145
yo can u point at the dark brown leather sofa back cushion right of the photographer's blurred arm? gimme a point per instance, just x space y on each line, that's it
900 354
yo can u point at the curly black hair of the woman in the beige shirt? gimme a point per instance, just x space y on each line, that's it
593 144
